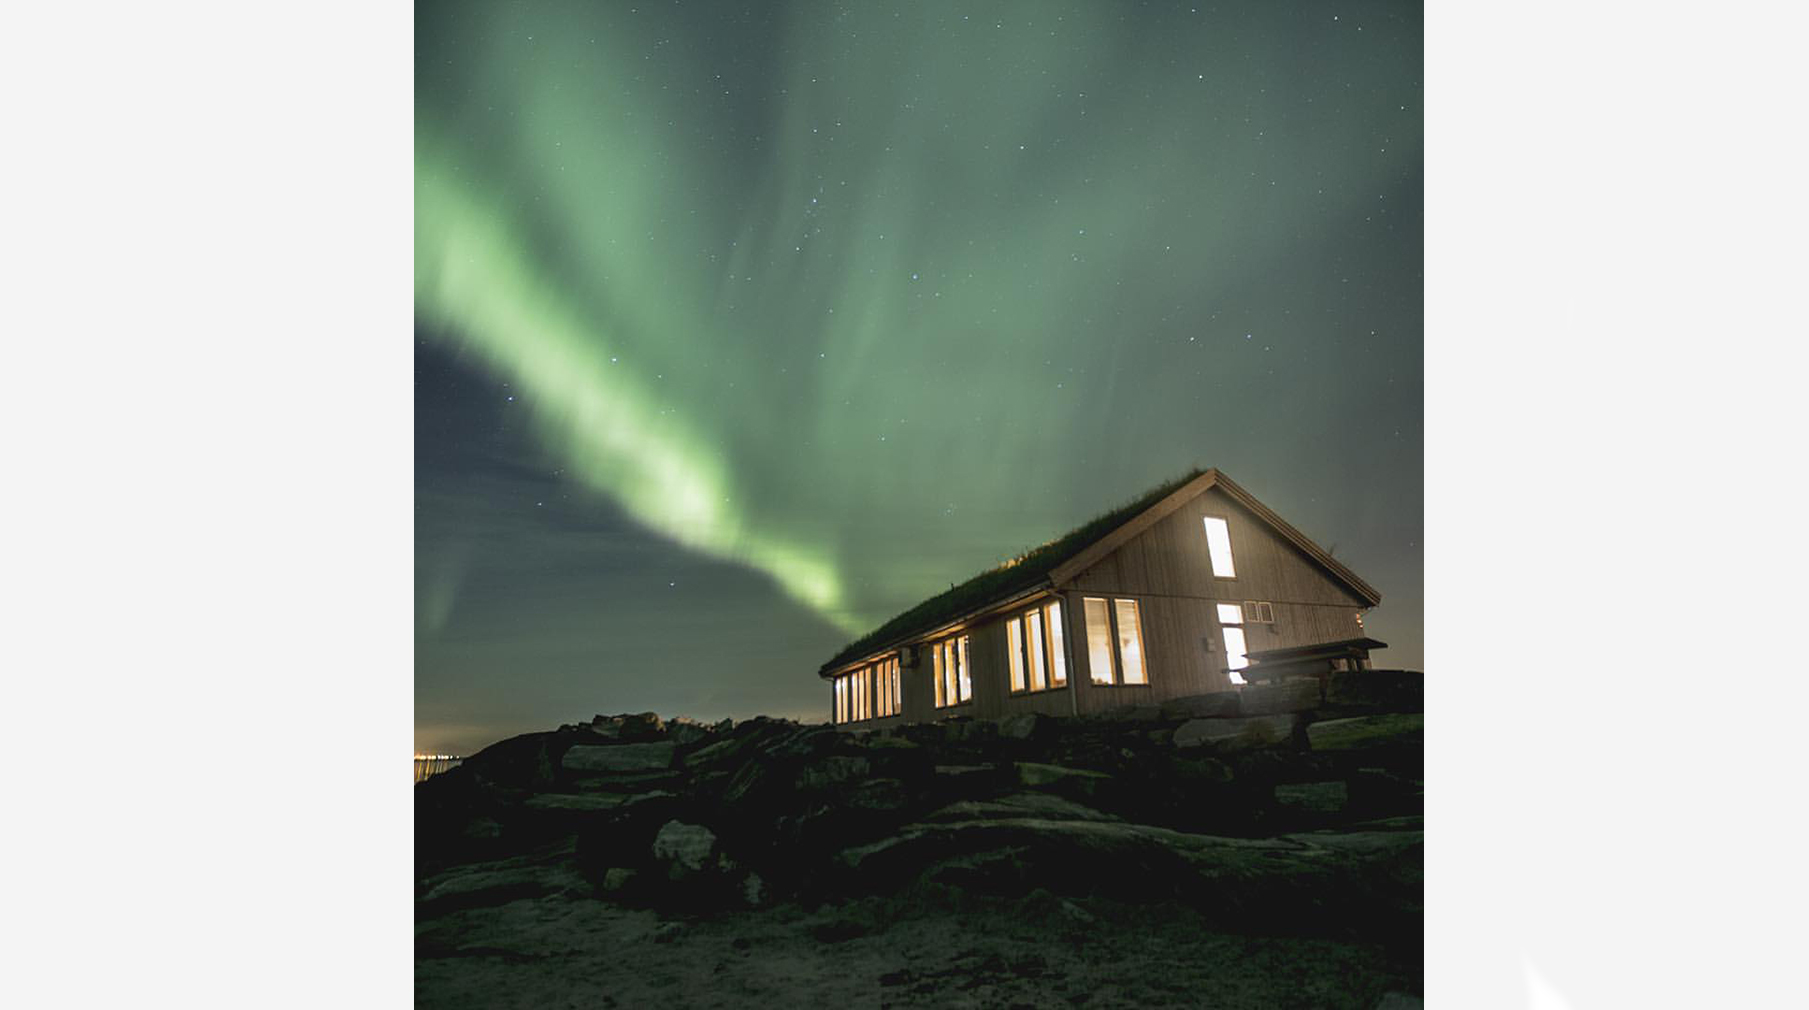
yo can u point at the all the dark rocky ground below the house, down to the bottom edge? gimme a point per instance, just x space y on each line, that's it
1244 850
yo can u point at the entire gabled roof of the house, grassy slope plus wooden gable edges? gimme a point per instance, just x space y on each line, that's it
1075 553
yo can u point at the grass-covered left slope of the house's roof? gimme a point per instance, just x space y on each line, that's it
1007 580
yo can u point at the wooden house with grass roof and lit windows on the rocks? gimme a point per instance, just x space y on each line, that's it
1168 596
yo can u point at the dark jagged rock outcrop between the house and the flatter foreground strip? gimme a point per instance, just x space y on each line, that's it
1271 806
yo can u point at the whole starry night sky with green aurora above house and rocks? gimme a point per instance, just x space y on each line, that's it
743 329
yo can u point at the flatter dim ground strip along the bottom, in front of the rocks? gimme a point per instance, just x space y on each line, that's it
1043 951
